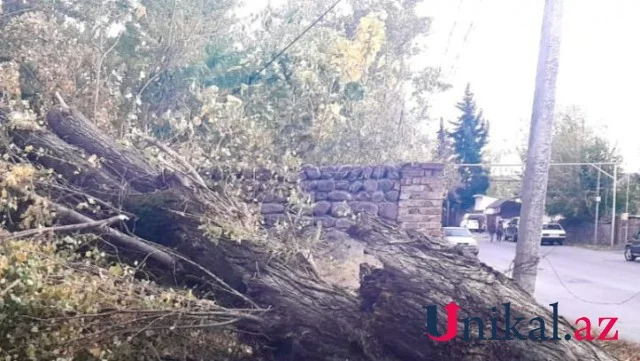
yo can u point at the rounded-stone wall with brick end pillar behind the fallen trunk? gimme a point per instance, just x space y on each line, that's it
409 194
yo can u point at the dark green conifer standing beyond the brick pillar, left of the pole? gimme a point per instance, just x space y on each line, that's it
469 139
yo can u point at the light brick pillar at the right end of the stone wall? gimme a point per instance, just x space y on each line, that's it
421 196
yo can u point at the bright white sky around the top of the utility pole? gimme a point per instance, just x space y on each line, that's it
599 64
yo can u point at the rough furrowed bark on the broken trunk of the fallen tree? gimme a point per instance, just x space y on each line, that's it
311 319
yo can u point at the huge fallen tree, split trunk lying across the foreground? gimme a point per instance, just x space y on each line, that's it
308 318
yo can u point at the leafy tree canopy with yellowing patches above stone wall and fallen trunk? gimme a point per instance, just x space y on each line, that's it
189 72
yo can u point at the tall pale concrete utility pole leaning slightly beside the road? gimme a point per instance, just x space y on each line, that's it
536 175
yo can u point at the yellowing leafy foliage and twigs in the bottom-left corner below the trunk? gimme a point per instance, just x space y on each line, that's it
57 304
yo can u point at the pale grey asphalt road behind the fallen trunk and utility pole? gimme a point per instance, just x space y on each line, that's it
584 283
